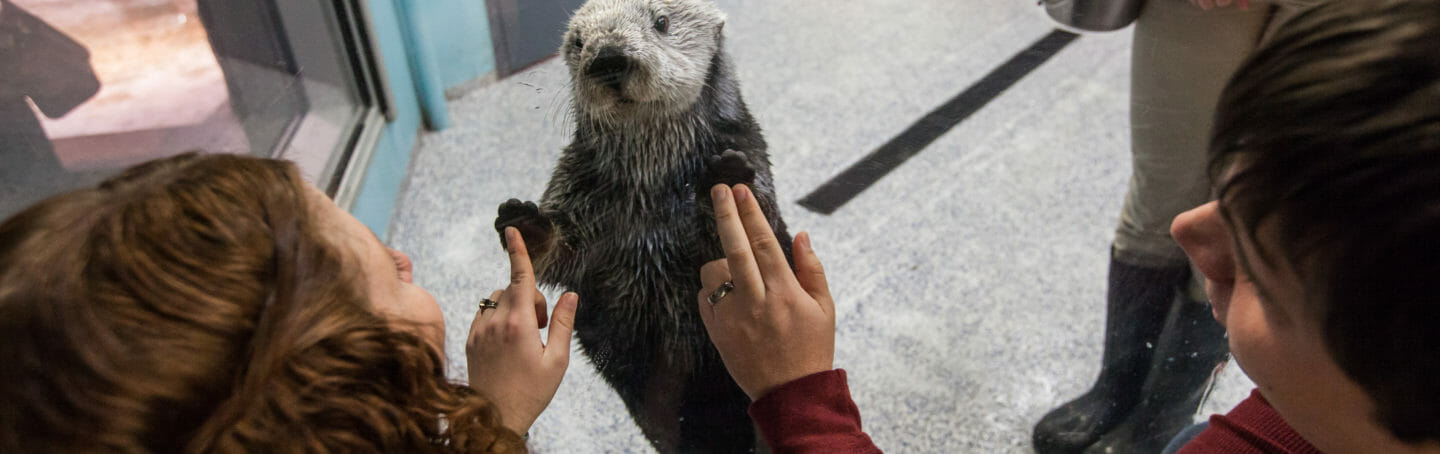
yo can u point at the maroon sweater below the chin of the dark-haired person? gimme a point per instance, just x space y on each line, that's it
1252 429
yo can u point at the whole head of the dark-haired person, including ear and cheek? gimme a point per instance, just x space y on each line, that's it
1324 249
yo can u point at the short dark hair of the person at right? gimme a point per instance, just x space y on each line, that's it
1333 133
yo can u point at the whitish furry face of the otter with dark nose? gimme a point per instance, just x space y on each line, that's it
631 58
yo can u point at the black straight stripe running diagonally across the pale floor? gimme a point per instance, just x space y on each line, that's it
850 184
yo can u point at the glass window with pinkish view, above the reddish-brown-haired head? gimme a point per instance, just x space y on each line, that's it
91 87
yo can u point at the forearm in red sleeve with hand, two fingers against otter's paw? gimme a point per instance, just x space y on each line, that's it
775 331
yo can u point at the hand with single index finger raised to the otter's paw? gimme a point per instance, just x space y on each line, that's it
508 361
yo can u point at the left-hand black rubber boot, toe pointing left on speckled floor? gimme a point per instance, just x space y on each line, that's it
1138 302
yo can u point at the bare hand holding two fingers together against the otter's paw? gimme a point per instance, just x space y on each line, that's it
775 326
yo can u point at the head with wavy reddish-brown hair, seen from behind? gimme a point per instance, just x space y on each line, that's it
220 303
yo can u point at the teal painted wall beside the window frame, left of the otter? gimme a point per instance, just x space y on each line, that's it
456 40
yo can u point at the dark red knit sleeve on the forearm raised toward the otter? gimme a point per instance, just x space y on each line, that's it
813 414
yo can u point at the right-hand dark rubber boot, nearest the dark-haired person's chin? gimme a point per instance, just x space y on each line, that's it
1192 348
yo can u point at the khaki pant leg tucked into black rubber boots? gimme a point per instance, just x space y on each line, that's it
1183 57
